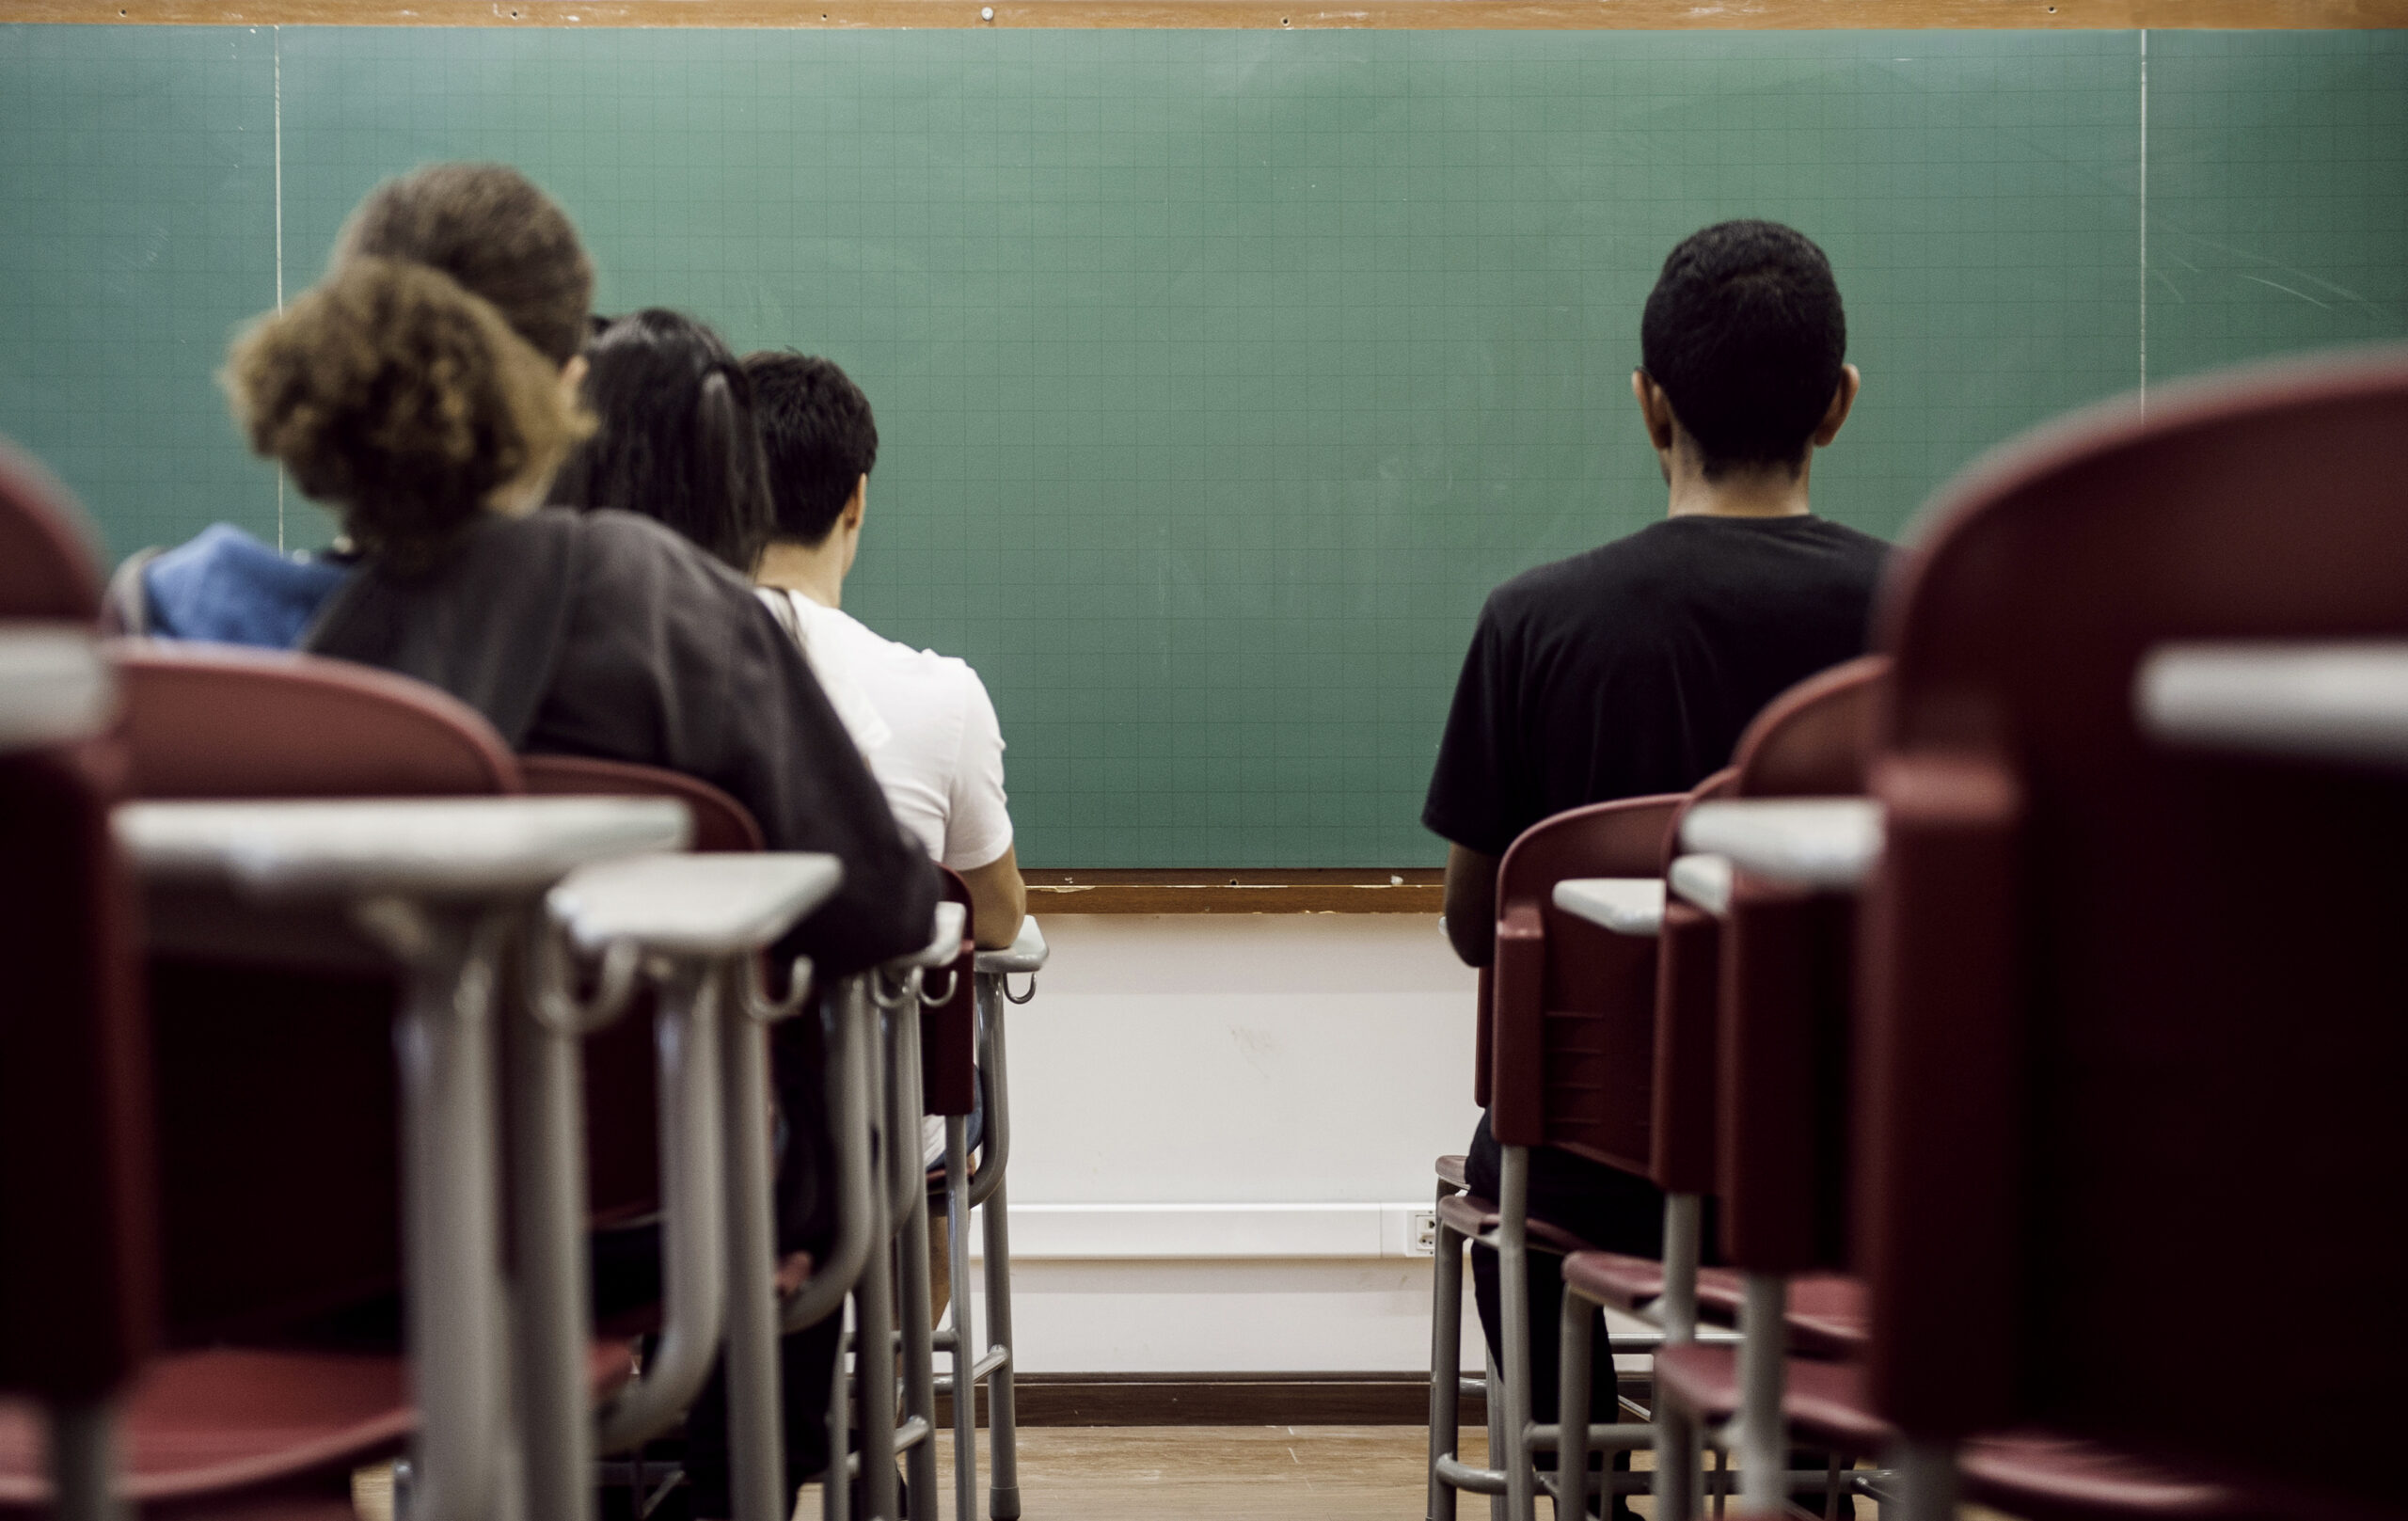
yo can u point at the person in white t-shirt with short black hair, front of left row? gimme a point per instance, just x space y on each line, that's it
923 721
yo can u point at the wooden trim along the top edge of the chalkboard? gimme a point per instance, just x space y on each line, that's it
1273 16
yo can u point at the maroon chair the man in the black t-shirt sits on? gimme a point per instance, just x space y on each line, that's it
1571 1022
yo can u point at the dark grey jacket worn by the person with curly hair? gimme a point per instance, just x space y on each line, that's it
606 634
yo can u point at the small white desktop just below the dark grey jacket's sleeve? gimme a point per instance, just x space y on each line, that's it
692 904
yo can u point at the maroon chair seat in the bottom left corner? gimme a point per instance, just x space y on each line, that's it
225 1424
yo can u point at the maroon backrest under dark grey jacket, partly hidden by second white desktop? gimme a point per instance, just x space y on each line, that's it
622 1079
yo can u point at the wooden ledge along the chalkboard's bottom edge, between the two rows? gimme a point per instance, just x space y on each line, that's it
1321 892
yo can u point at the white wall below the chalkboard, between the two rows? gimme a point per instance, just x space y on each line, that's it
1220 1130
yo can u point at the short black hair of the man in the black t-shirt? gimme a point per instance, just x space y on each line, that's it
1747 338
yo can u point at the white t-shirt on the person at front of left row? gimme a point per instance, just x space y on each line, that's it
921 721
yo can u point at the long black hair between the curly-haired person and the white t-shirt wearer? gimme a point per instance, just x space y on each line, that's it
678 437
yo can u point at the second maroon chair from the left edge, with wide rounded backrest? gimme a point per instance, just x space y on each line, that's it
276 1106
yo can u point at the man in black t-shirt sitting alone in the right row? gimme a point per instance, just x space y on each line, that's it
1634 668
